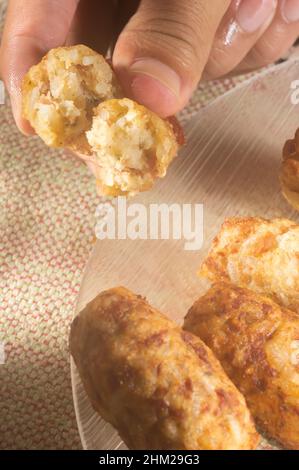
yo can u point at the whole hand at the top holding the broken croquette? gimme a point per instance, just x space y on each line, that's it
161 48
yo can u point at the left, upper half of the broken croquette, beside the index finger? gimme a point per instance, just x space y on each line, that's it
61 92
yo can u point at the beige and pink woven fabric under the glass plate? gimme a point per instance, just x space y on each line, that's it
47 209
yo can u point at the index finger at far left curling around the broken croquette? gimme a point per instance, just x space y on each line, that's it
32 27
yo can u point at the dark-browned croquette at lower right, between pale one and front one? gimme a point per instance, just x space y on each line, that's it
257 343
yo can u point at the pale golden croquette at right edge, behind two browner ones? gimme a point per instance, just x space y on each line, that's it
260 254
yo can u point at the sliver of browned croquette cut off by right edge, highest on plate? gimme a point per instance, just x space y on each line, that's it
289 174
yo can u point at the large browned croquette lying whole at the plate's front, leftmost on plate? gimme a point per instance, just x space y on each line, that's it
159 386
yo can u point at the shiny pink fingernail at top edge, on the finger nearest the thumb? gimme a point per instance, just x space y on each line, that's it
253 14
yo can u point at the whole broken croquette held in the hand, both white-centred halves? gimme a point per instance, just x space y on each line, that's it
72 99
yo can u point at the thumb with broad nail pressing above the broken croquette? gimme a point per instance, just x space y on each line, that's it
160 55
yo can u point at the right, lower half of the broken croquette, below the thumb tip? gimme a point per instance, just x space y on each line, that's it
132 147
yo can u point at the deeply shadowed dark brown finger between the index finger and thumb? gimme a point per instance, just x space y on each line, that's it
94 24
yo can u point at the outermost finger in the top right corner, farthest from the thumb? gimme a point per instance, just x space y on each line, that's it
279 37
